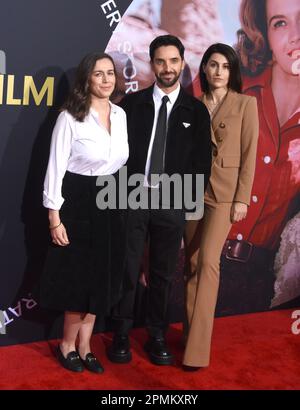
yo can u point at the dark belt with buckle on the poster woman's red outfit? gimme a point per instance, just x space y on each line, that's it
242 251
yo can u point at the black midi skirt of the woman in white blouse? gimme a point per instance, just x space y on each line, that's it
86 275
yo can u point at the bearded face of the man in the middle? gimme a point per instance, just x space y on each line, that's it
167 66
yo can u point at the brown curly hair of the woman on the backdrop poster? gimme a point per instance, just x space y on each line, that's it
253 45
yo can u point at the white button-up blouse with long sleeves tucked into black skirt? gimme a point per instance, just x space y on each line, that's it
84 148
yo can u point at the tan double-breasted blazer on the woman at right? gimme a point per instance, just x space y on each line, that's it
234 137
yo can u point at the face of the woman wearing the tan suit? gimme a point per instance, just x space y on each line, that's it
217 71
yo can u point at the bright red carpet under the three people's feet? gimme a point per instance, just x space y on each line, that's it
256 351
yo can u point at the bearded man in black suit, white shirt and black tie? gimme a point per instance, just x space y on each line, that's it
168 133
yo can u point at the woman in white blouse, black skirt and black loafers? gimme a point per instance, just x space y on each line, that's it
82 274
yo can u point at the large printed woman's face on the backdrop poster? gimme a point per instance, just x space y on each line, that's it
283 19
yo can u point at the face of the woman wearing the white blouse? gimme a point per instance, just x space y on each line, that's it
103 79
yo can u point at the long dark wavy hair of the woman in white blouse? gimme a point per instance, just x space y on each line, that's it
79 100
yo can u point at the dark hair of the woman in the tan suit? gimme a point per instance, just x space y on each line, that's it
235 78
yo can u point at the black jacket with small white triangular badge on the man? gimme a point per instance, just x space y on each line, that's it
188 143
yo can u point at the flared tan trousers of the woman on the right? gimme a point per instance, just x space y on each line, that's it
204 243
